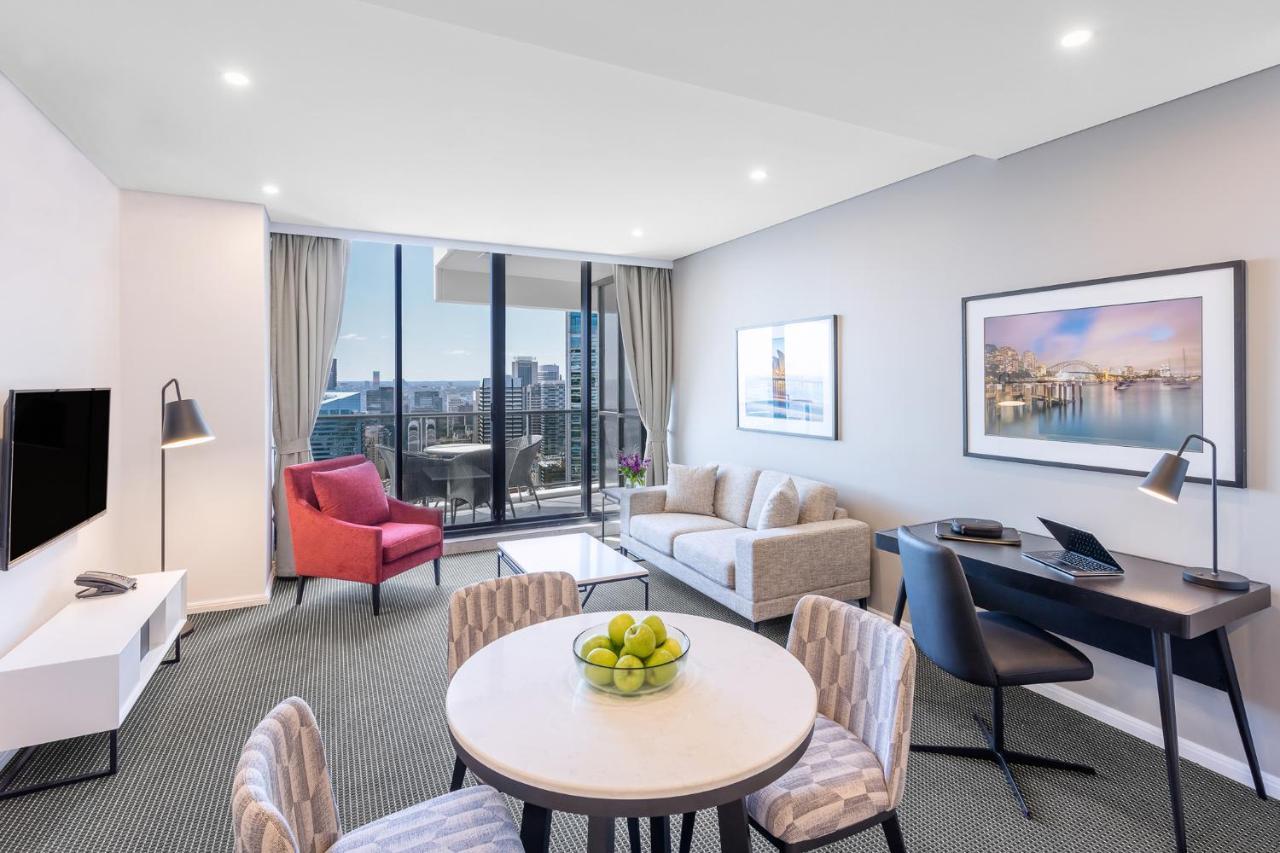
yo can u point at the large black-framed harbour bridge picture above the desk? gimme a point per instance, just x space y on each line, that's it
1110 375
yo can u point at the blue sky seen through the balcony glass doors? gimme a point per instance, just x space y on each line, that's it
442 341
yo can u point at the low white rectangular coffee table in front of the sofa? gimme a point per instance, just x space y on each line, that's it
591 562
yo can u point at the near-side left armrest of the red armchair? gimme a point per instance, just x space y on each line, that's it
327 548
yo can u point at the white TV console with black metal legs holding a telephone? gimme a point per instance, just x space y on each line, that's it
83 672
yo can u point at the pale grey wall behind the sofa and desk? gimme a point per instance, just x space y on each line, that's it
1190 183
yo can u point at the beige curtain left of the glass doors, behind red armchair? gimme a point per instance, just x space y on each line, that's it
309 279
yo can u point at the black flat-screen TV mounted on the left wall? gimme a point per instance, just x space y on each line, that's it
54 472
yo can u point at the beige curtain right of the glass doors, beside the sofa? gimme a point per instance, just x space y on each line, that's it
644 314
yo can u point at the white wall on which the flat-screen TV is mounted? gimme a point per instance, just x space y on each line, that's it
60 225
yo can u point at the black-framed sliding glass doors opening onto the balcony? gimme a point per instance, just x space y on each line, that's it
472 381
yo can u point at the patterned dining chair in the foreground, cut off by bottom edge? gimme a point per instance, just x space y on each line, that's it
282 802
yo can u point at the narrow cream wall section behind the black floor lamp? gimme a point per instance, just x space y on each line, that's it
194 307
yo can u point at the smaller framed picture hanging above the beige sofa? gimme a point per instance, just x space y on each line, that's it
789 378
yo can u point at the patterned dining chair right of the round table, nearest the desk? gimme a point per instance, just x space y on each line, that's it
853 774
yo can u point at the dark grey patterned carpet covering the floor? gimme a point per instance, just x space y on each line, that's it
378 688
